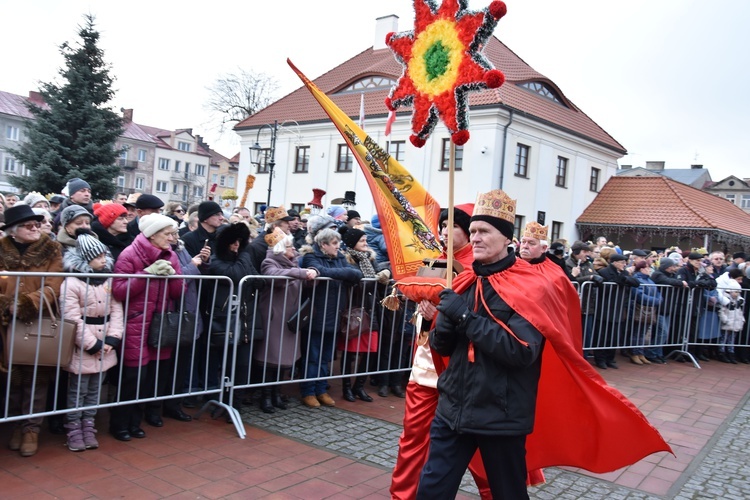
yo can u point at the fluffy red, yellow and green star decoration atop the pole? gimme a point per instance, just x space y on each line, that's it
443 61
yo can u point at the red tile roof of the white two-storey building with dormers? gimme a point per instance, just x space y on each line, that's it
300 105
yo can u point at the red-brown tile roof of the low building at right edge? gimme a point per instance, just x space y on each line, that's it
660 202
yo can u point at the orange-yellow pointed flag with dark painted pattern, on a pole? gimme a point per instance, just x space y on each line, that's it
408 213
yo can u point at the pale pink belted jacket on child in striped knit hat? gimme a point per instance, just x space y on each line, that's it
92 301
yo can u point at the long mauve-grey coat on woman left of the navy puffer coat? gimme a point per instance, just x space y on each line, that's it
278 301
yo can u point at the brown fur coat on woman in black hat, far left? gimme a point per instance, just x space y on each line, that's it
42 256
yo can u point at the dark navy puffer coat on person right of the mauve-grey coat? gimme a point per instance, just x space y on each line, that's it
329 297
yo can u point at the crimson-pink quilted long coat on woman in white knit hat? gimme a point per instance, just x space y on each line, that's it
143 298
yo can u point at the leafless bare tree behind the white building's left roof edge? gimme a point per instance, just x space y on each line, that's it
235 96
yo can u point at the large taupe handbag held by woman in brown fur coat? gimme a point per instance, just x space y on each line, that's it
52 338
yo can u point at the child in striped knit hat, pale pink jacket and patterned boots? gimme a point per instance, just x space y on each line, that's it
89 302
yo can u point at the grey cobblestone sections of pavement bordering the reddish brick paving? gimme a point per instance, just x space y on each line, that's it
722 470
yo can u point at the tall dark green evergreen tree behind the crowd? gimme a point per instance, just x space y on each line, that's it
74 134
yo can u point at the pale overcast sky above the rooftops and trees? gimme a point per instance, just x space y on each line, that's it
668 79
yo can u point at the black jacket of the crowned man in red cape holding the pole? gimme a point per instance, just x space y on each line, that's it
495 394
